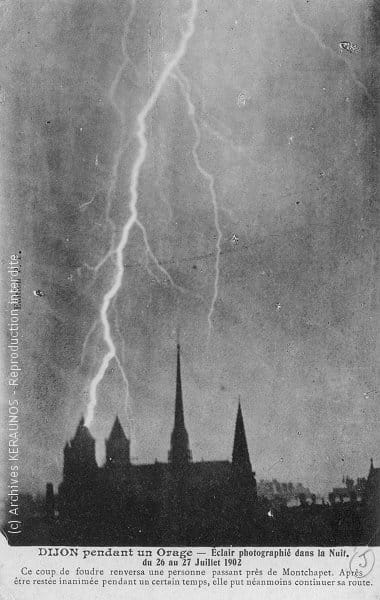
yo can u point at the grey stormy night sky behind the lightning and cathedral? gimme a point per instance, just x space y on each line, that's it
256 190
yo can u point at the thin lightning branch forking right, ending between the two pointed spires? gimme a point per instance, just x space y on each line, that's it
185 87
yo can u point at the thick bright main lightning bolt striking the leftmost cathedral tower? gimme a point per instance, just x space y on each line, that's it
117 252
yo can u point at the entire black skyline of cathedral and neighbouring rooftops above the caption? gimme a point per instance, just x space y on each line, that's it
182 502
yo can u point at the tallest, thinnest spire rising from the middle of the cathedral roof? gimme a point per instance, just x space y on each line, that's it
179 453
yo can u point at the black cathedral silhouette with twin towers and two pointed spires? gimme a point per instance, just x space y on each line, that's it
180 502
